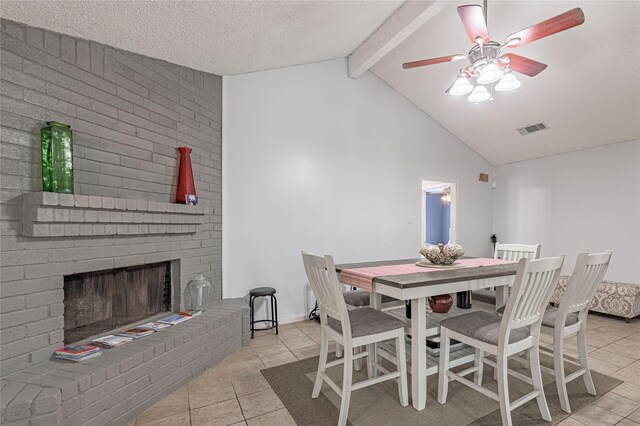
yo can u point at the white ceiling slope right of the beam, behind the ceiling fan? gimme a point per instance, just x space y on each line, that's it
588 96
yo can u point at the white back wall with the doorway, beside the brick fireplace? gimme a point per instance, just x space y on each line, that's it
319 162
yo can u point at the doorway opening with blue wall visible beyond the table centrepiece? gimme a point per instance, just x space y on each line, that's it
438 212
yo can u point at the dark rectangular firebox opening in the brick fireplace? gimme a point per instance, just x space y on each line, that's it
95 302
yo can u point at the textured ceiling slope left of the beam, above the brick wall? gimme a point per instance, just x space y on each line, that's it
223 38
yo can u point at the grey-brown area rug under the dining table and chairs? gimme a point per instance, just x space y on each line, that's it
379 404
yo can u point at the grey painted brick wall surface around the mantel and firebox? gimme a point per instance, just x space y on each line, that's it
128 113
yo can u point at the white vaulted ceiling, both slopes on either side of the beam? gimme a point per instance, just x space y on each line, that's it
588 96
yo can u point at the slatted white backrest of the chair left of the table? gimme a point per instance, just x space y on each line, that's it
323 279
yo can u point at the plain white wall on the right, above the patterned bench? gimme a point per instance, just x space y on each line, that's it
580 201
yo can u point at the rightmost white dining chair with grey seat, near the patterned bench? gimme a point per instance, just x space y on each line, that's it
570 319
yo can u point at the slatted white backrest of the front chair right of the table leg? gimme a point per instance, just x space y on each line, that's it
532 289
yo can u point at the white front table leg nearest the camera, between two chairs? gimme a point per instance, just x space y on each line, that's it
419 353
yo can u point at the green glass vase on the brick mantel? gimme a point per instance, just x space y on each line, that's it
57 157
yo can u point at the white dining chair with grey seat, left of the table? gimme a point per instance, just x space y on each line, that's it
351 328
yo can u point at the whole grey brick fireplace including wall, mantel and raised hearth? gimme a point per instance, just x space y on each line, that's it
129 114
